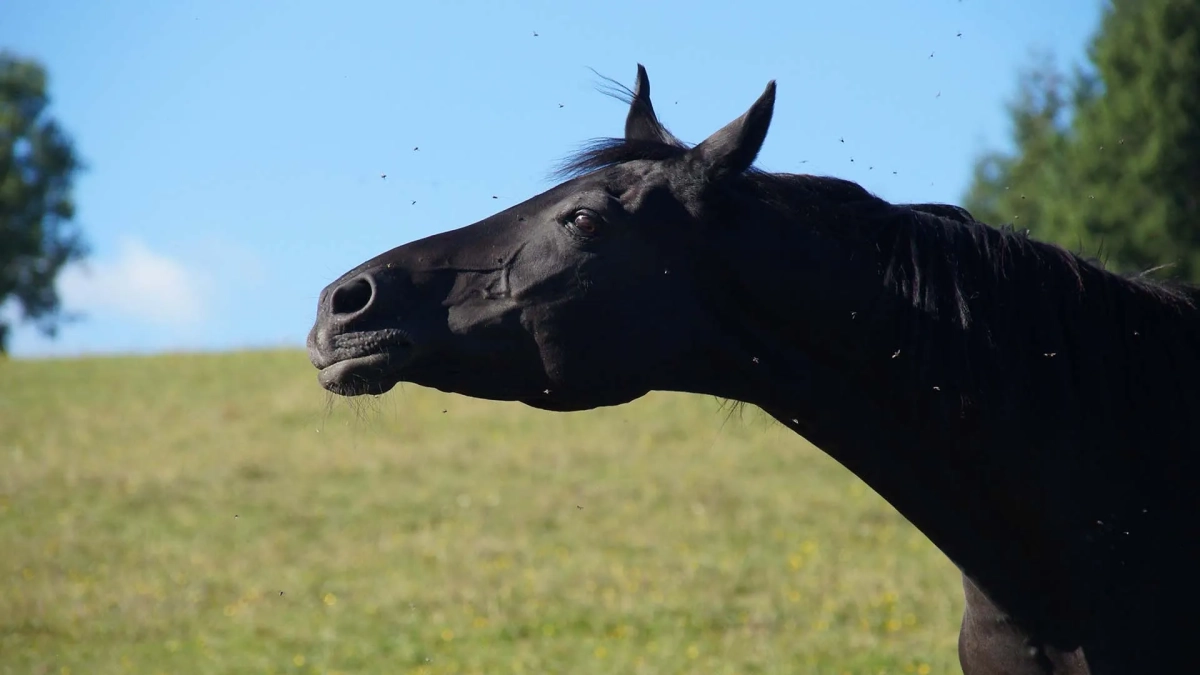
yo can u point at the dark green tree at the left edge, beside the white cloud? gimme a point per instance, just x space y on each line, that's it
38 166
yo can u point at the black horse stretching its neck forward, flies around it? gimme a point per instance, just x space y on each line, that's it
1029 411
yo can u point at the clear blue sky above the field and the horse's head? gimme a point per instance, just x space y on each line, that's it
236 147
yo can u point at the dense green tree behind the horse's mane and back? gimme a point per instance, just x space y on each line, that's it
1108 162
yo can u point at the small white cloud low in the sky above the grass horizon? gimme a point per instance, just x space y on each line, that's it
139 284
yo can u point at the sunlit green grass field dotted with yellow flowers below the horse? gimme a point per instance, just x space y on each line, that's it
221 515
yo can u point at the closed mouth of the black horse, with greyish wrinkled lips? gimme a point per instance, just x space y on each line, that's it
361 365
